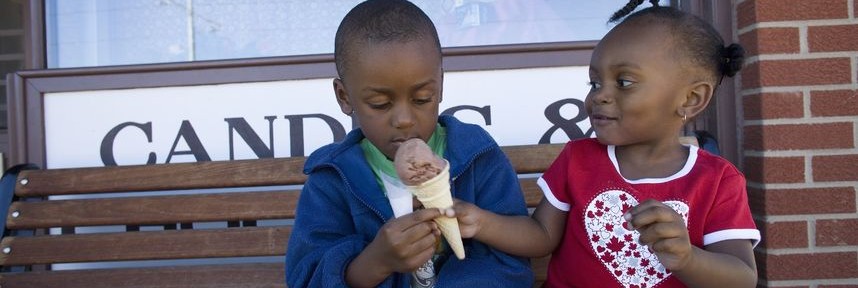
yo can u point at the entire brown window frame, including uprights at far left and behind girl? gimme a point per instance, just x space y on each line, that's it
27 87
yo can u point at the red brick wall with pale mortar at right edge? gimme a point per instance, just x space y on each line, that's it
799 93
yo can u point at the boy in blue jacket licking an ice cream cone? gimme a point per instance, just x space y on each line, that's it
352 227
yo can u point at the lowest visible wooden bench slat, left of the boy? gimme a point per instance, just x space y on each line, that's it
229 275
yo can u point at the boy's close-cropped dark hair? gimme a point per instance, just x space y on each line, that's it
380 21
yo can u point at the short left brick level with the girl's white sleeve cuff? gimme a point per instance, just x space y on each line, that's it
779 235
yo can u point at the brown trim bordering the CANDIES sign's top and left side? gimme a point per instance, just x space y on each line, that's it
27 113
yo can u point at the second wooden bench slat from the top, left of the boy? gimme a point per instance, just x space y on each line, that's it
154 210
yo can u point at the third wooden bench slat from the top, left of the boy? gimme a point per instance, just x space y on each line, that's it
148 245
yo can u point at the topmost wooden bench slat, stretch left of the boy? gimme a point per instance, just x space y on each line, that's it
177 176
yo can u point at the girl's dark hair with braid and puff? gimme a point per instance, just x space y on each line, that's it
695 39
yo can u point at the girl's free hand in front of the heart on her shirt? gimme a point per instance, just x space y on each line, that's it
663 231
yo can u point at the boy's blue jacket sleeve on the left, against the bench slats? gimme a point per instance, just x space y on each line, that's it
323 240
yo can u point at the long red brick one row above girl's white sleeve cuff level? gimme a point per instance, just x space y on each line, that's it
773 202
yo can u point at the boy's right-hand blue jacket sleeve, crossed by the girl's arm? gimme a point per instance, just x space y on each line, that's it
496 188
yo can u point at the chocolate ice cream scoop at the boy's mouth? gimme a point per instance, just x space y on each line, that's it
415 163
